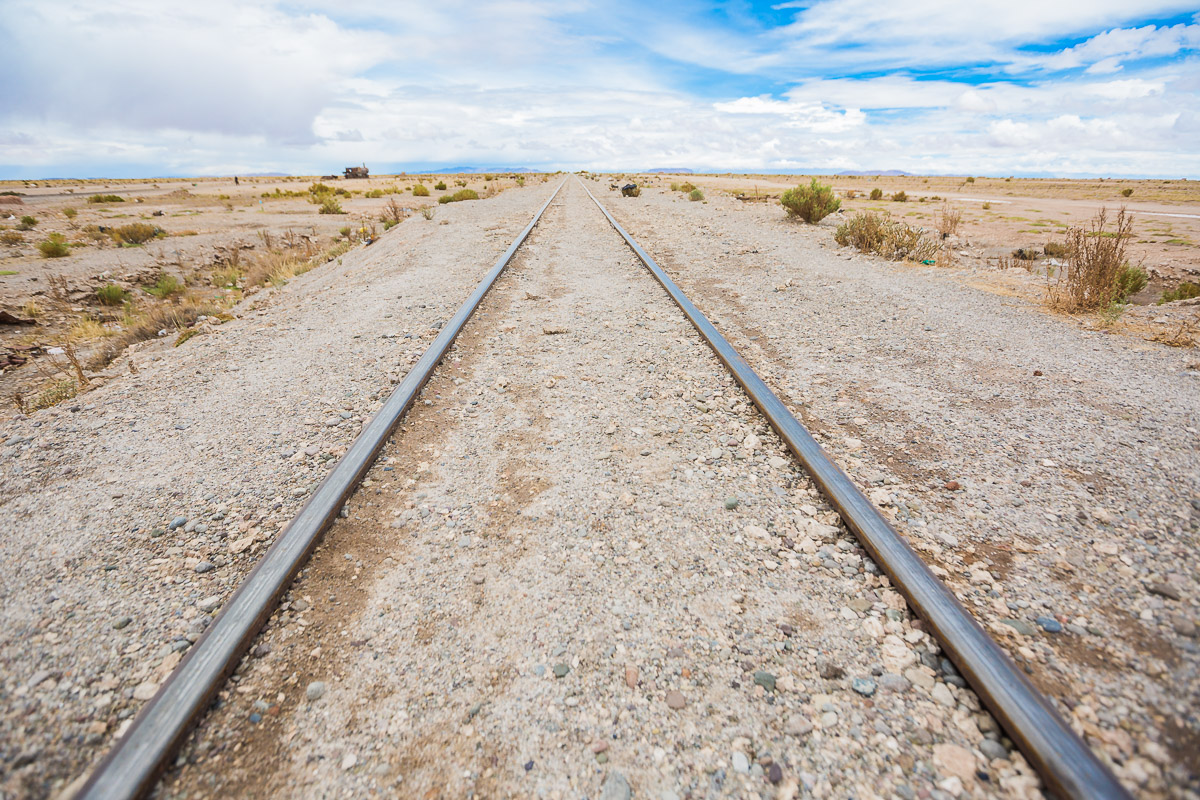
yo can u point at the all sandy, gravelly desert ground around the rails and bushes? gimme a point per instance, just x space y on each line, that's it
585 567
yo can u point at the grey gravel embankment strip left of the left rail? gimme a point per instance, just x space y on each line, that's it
133 514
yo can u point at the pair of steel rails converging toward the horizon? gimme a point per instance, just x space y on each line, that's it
133 768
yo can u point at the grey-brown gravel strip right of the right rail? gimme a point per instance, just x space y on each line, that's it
1051 474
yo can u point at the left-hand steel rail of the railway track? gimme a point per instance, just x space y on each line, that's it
133 767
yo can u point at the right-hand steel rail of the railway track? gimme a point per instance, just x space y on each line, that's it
1066 763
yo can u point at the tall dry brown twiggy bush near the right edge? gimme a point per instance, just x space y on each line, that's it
1095 263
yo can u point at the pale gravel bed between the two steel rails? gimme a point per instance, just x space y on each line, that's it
586 568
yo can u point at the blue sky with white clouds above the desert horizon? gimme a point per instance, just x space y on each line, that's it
146 88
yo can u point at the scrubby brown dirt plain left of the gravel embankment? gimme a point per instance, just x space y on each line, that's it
208 228
